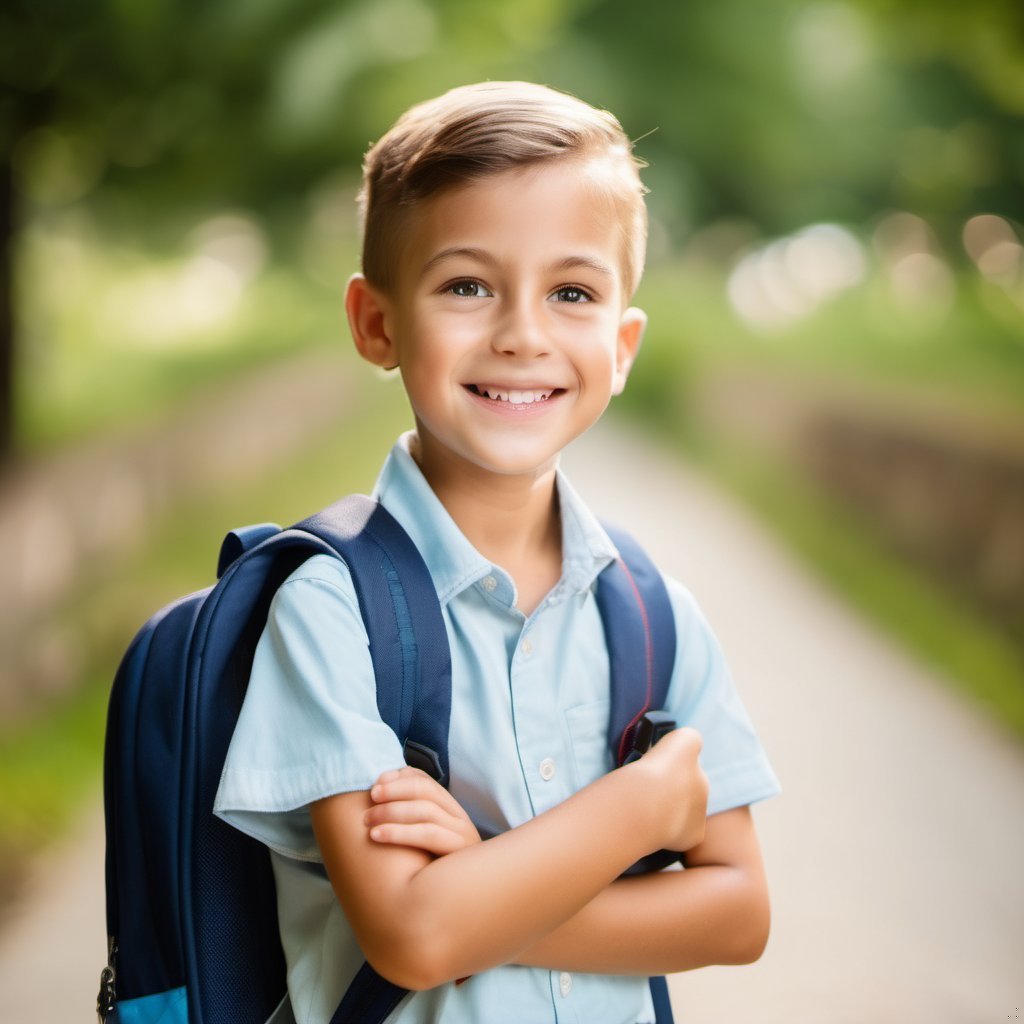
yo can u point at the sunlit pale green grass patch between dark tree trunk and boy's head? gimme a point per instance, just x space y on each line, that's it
112 335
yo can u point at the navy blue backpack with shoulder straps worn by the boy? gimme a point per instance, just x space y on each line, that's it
191 908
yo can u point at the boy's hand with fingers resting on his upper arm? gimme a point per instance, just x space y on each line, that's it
411 809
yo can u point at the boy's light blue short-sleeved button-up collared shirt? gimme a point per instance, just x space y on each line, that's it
530 716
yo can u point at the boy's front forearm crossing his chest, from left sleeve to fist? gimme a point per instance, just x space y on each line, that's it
421 921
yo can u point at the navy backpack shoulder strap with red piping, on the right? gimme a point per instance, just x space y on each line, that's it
641 633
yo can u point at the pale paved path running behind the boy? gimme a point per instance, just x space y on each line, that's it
894 855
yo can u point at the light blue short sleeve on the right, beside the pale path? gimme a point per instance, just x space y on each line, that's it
703 696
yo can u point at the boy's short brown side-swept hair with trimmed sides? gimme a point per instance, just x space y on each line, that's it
478 131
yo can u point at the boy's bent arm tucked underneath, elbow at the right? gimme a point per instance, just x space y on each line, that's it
716 912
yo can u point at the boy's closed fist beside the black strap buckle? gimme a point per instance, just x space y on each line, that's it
677 788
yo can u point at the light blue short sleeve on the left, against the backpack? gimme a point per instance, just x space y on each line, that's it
310 726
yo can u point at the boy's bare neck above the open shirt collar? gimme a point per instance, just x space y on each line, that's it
514 522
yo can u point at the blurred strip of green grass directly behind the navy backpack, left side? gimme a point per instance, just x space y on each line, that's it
49 765
